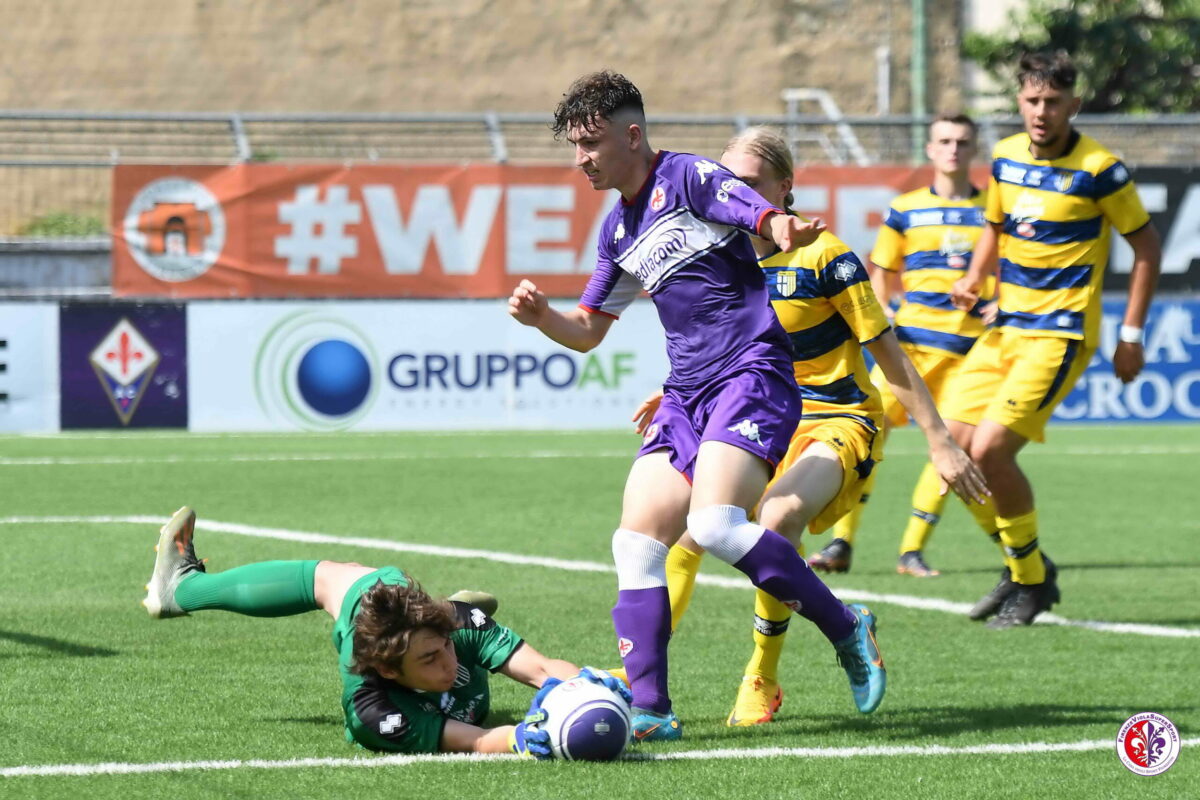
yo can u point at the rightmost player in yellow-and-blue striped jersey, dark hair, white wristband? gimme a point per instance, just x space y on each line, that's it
1054 197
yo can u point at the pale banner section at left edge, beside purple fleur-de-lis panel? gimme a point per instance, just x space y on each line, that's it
29 368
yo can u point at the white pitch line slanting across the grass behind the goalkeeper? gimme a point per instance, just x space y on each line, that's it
851 596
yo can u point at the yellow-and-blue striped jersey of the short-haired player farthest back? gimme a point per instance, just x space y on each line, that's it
932 239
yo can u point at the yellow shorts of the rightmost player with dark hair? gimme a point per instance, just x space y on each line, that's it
1017 381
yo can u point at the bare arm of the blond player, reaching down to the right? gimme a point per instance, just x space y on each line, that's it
952 464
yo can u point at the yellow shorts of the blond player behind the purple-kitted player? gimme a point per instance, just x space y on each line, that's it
859 449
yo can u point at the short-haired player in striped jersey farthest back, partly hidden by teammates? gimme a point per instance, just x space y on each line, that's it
926 242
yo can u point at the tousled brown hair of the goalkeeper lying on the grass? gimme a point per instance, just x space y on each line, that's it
387 619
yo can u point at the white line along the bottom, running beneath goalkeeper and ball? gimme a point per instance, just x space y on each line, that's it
729 754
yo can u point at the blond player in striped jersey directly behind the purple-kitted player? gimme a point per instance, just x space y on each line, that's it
824 300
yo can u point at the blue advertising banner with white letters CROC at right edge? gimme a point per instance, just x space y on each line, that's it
1168 390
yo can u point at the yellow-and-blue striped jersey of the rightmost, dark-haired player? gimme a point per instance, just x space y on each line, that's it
1057 216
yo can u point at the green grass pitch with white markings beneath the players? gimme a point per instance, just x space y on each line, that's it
89 681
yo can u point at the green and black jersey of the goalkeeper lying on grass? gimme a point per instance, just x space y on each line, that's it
383 715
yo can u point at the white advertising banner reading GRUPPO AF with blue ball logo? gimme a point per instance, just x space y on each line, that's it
410 365
